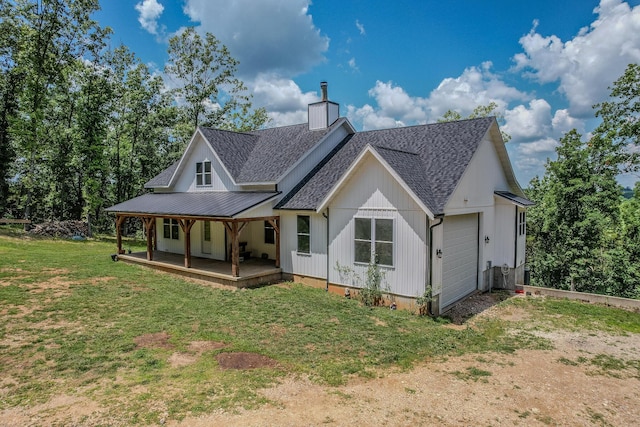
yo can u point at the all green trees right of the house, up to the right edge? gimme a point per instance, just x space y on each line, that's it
582 234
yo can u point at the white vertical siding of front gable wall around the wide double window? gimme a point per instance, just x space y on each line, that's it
372 192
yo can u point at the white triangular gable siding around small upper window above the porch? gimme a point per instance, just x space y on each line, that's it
199 152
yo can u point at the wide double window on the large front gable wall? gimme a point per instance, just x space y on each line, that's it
374 237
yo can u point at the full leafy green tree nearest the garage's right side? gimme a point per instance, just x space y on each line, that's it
573 241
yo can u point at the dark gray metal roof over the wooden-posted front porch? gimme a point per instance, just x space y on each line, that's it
225 204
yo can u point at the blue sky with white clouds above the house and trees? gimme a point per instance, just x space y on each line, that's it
545 63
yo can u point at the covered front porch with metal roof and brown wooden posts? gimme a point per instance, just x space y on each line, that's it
178 213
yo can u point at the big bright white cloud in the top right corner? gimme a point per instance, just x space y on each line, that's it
586 65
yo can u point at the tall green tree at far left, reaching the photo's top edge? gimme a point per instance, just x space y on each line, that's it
53 35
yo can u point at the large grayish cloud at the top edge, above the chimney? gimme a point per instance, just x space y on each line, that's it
269 36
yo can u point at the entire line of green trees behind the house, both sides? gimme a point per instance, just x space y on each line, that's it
83 126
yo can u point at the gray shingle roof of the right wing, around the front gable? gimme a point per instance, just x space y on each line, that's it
442 153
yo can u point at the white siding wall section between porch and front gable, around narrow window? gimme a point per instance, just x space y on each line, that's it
313 264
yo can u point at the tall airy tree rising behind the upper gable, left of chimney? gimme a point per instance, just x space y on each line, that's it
203 72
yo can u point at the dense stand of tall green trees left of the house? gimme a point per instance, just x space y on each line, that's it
83 126
